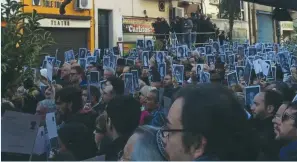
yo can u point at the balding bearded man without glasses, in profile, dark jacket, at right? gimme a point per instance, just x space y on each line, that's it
264 107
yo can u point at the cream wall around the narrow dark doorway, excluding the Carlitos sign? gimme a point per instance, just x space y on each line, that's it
120 8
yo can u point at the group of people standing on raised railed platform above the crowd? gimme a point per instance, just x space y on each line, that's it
186 29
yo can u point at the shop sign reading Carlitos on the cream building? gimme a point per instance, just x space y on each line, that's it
138 25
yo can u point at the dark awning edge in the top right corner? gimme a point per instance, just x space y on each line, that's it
286 4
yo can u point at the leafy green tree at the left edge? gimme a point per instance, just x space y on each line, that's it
22 40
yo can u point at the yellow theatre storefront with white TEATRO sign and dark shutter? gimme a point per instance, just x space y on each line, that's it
73 30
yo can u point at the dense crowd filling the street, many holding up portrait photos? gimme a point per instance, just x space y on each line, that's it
202 121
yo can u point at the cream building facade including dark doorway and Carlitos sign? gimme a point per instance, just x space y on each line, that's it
126 20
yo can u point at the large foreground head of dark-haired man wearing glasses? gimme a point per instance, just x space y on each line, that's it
202 123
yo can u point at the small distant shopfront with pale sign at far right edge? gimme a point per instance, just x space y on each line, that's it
287 30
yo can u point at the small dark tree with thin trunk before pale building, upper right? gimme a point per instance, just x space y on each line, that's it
230 9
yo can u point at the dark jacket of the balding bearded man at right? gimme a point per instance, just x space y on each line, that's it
268 146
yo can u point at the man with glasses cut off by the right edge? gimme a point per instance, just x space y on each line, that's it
287 131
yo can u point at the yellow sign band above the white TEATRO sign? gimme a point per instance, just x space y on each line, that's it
52 7
